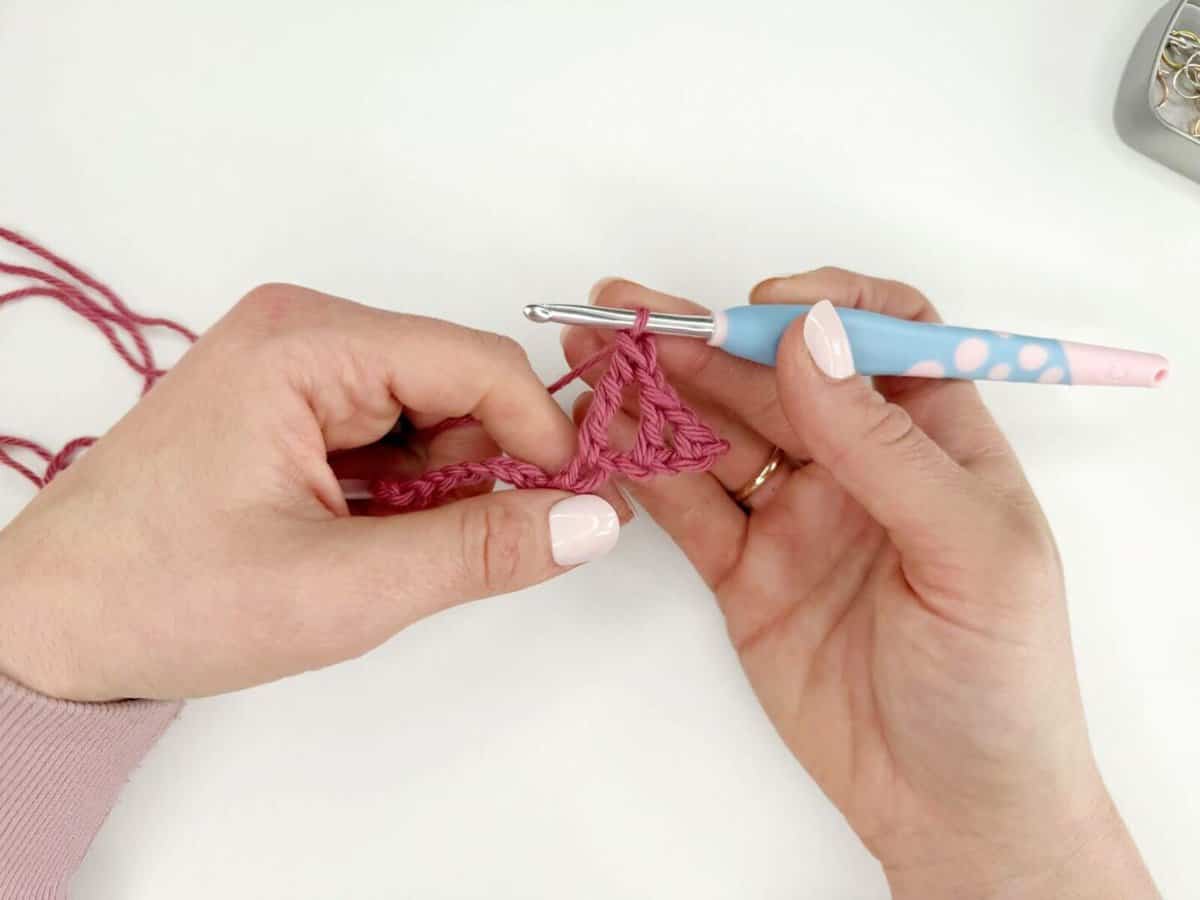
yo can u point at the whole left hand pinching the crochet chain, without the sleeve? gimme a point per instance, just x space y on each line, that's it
205 545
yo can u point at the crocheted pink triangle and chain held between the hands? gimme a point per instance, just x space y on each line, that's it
670 436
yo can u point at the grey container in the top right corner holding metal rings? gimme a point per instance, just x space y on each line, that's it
1160 135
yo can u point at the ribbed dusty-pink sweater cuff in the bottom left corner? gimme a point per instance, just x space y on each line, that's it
62 766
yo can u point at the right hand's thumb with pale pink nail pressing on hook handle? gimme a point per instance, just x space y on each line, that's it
871 447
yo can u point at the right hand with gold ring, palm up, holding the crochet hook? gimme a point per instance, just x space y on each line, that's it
897 602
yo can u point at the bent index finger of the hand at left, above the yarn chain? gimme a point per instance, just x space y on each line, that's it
359 368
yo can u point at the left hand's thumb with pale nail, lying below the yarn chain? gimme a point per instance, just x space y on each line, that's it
483 547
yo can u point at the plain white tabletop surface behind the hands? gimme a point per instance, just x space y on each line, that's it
595 737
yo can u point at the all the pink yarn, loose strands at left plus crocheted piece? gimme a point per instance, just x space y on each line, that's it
670 437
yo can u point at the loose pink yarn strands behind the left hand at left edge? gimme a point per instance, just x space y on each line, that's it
100 305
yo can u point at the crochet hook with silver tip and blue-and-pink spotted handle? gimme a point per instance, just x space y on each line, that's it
886 346
